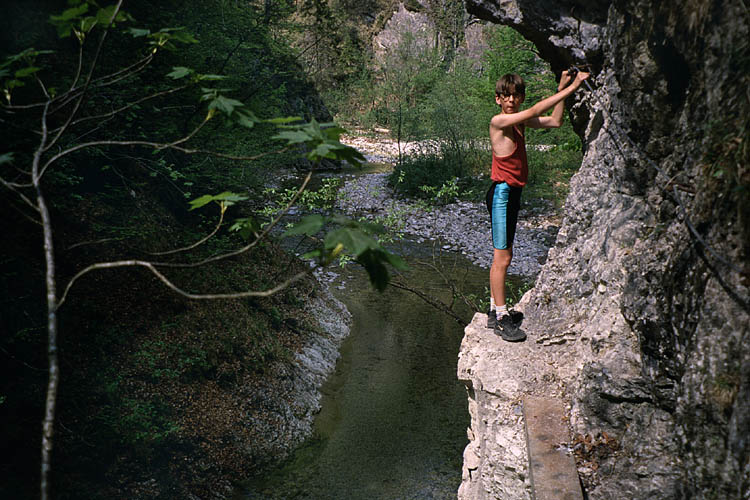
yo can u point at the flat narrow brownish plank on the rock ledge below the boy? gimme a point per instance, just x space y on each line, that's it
552 469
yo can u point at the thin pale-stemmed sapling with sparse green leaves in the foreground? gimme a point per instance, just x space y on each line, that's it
59 117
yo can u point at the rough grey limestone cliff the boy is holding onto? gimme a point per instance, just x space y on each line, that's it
644 326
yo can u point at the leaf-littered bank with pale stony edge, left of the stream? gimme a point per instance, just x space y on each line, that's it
233 425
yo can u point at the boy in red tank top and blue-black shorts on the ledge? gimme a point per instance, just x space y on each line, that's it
509 174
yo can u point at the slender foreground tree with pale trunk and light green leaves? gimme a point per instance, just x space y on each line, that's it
66 112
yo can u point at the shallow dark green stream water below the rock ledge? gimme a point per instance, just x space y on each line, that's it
394 416
